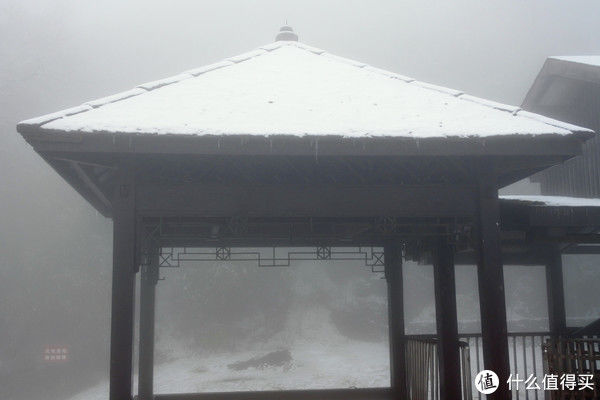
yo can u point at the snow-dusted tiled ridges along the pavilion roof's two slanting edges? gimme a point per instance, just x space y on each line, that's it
38 122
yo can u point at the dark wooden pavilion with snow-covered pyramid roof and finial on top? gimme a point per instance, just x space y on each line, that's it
289 145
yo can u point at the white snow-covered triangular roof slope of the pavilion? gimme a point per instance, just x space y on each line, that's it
288 88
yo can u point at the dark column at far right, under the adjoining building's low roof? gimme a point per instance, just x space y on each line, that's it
557 320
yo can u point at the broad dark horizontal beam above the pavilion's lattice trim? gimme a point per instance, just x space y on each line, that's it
306 200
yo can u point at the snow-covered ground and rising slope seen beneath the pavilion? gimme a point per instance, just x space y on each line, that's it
321 359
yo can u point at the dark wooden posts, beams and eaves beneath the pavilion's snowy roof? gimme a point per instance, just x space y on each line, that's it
103 167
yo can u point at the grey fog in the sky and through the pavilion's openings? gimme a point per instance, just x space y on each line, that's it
55 249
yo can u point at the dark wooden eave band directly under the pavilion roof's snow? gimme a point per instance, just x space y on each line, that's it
553 145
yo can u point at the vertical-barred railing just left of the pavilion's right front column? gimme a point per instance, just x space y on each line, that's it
422 369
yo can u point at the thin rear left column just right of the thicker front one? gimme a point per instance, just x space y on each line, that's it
149 278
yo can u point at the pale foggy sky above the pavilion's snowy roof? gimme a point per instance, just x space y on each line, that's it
488 48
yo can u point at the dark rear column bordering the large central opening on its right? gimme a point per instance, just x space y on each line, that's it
393 274
